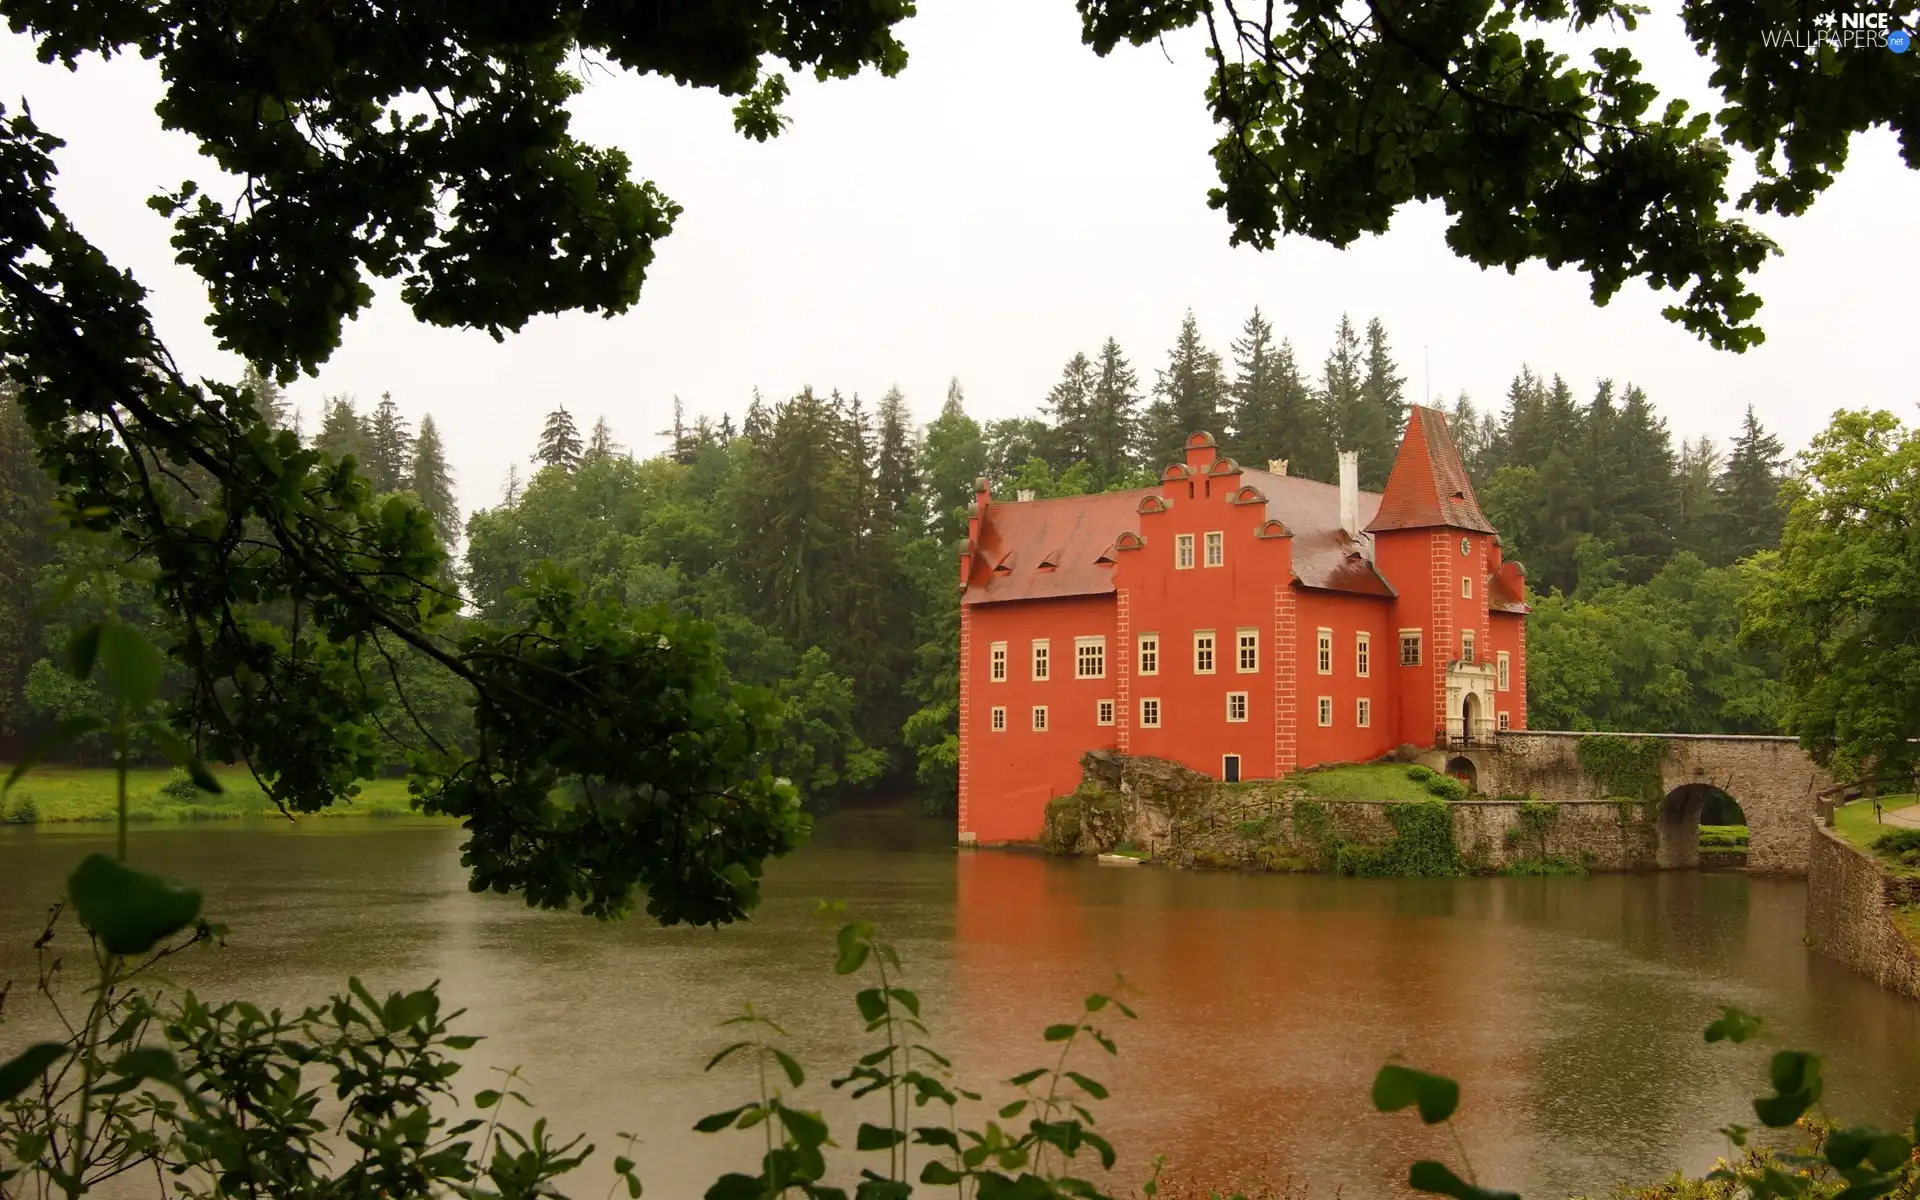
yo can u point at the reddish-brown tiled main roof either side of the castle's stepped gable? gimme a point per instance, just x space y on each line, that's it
1076 533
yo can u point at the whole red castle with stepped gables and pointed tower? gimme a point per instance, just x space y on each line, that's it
1243 623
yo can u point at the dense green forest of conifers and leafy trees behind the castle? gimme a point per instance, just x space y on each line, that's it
819 535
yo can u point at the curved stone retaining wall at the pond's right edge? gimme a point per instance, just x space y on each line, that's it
1850 913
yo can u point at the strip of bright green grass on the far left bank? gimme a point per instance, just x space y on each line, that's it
85 794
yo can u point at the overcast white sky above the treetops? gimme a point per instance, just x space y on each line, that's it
1007 201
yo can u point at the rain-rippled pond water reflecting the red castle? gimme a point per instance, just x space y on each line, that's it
1572 1011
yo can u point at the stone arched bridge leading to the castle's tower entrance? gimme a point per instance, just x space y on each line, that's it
1771 779
